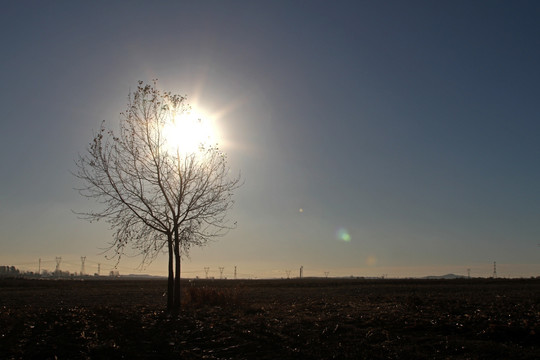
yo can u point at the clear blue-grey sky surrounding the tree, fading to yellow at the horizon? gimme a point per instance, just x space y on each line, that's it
397 138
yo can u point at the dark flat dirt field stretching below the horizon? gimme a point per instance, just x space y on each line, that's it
271 319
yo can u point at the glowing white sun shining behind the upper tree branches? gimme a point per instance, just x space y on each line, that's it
188 131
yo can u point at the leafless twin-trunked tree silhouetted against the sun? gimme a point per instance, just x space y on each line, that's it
156 197
